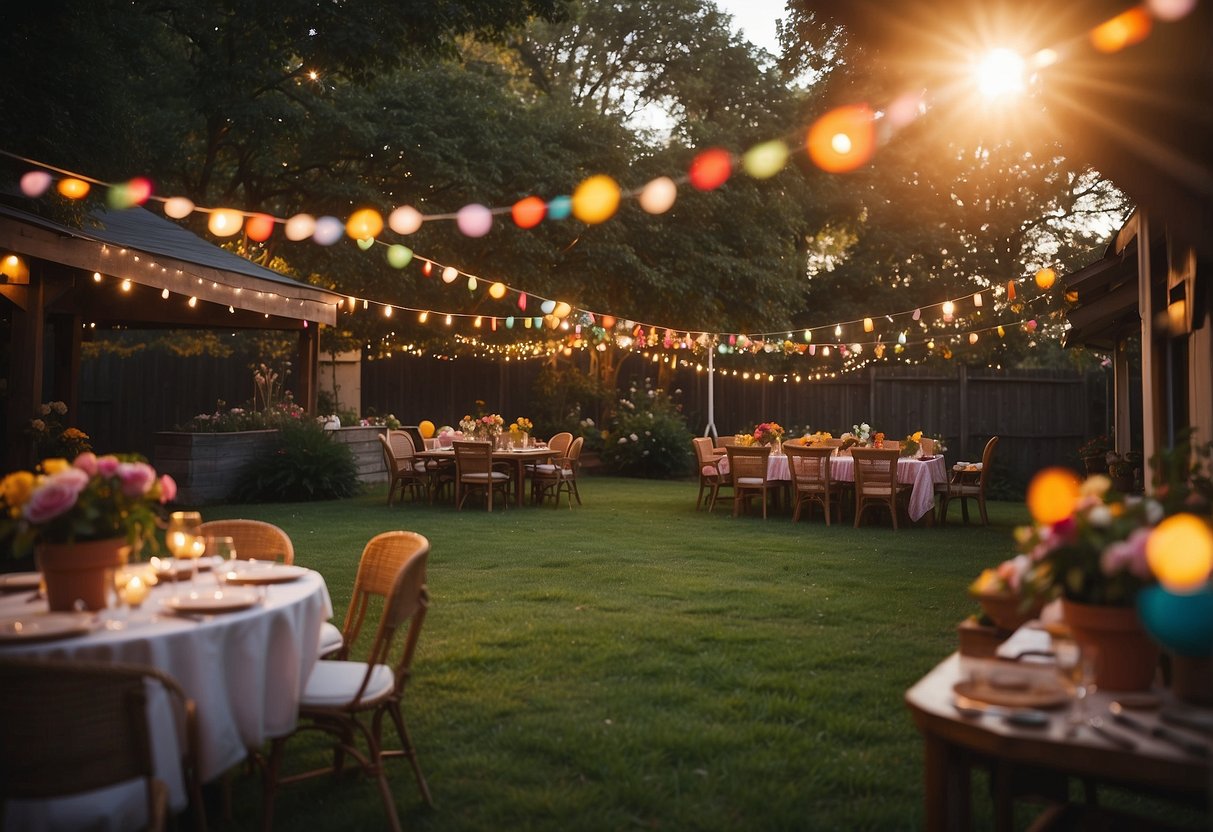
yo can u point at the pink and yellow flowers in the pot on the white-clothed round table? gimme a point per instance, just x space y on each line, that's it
94 498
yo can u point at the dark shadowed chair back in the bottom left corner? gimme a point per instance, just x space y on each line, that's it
72 727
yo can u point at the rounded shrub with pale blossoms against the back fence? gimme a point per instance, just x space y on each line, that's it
648 436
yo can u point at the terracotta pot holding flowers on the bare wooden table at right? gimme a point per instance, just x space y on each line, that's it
1126 658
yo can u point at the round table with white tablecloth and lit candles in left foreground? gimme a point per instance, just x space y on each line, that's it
246 669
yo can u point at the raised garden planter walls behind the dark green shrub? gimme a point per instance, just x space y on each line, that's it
206 465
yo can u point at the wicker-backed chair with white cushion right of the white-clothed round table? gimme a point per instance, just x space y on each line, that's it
349 700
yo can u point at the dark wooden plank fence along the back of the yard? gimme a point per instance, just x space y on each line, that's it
1040 415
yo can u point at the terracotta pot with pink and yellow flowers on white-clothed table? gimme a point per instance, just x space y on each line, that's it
83 518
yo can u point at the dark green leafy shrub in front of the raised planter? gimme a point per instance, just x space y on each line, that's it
304 464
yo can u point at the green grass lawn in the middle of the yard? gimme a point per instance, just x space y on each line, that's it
634 664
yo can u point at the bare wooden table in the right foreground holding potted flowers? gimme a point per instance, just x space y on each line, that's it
955 744
